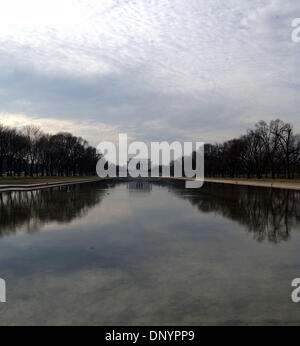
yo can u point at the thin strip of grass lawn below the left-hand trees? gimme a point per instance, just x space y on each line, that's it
38 180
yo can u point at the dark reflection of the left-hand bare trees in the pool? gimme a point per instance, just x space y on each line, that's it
31 210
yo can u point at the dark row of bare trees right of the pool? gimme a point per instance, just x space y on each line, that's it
268 150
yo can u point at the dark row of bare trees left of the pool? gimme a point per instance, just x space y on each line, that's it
30 152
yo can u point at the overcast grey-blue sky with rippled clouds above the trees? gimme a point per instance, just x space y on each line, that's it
155 69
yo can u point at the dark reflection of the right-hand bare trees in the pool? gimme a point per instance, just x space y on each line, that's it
266 213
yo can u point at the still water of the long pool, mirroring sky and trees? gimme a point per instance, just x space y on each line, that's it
141 252
